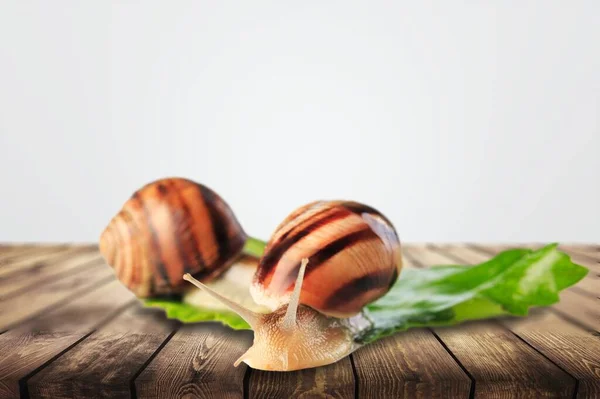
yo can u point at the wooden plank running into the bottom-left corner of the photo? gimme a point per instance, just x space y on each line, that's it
32 345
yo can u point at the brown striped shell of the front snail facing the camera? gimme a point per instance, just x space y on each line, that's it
354 258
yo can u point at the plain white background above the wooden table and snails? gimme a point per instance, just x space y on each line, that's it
461 121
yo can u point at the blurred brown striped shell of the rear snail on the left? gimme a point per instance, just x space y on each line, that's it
167 228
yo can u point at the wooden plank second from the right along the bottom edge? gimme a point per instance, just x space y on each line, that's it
501 363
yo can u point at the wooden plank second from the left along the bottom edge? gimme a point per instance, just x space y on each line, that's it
105 363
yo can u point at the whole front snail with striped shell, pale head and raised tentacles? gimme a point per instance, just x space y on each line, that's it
322 265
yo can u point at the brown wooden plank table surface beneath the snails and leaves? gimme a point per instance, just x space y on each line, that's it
69 329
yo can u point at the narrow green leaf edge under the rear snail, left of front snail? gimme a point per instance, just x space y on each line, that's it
193 314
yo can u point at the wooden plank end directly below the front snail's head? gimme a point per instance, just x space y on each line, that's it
331 381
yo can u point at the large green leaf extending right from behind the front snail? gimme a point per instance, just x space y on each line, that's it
510 283
